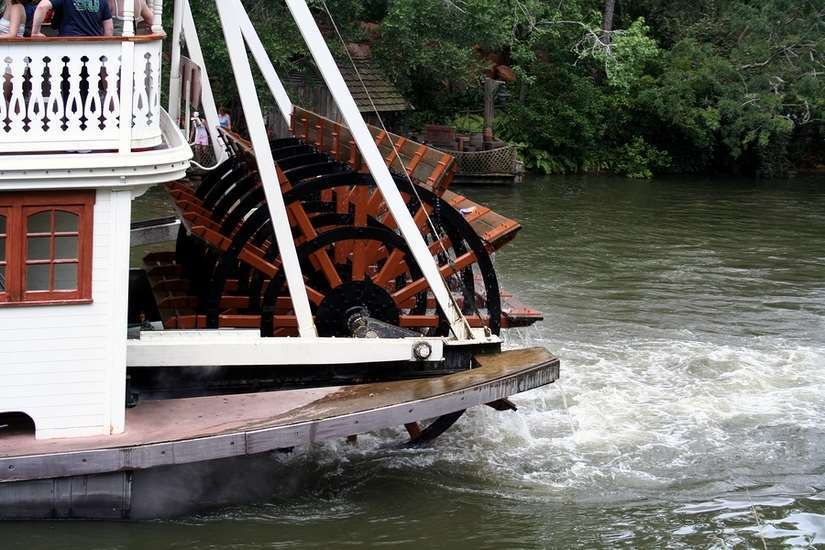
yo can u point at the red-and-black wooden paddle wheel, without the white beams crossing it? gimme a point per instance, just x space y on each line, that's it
358 271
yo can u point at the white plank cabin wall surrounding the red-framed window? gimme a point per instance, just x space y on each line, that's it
65 366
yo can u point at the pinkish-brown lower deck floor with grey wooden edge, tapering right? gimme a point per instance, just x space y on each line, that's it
205 428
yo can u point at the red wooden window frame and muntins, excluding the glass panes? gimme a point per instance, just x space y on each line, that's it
18 208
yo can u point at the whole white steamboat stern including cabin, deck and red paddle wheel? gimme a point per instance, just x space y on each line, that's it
319 285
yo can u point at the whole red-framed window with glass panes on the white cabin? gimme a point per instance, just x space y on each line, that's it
46 247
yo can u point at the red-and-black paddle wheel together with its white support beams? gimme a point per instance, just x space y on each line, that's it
335 255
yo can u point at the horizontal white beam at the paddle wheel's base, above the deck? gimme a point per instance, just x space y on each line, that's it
213 348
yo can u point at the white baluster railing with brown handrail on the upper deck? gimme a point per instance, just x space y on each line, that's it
66 94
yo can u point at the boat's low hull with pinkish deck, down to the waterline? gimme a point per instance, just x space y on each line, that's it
113 477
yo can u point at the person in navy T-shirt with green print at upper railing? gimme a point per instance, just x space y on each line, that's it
75 17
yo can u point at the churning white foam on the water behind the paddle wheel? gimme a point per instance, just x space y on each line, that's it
630 418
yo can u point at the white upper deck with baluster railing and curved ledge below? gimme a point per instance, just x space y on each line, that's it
86 108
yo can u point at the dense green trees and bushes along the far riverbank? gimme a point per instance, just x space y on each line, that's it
599 86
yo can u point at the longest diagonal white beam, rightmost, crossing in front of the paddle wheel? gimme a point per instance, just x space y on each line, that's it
375 161
